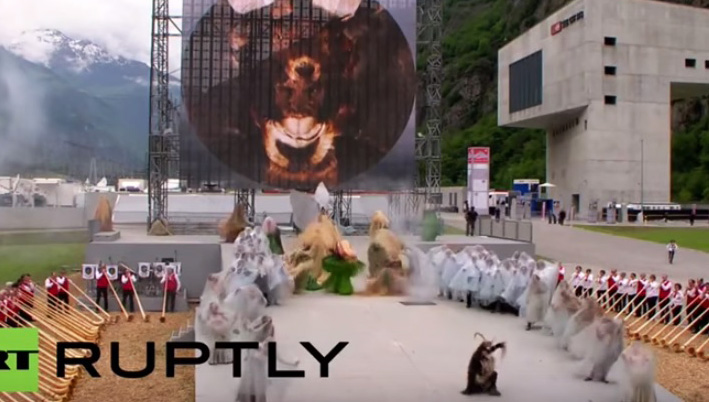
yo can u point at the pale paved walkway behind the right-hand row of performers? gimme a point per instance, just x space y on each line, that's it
574 246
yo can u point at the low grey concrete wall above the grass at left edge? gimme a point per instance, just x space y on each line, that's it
41 218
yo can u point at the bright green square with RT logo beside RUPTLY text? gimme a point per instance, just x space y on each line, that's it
19 360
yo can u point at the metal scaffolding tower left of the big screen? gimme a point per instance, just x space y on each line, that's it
163 145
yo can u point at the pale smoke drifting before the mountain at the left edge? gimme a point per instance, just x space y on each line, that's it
22 116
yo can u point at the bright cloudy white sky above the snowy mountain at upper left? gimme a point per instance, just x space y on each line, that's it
121 26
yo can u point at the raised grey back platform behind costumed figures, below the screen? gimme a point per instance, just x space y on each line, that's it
202 255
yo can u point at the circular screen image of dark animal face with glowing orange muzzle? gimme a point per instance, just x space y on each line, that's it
293 93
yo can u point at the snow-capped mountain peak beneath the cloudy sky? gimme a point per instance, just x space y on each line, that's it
80 60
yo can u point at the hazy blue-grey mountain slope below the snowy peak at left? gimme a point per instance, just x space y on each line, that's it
48 123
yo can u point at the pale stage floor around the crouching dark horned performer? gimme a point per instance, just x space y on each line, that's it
414 353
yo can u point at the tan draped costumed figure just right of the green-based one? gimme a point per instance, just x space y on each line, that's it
387 268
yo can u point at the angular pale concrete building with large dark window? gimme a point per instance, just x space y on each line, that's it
599 76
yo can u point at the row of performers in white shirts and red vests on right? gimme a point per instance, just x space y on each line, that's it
646 293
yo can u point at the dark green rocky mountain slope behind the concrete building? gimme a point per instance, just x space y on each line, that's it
475 29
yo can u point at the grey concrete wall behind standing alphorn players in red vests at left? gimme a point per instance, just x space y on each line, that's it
198 259
